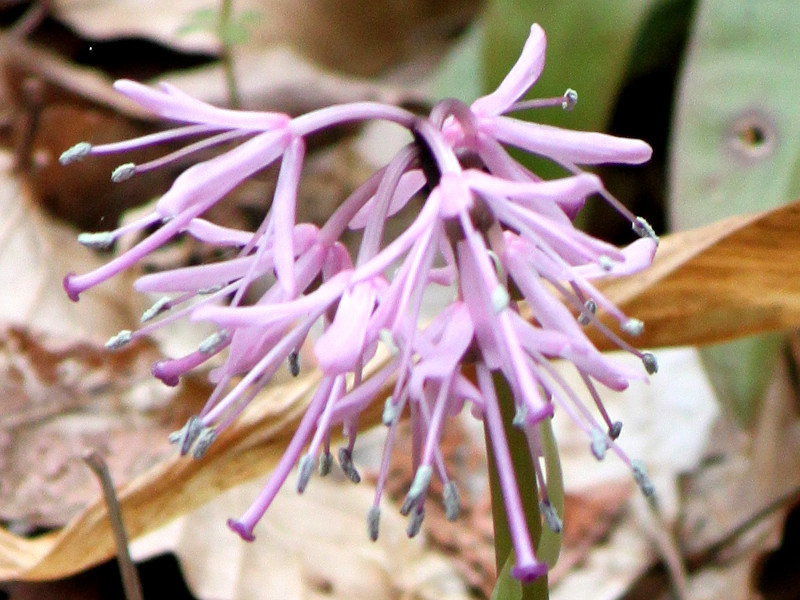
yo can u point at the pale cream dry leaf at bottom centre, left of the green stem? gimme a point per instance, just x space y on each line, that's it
312 545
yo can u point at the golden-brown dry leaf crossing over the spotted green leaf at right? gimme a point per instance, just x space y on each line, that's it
731 279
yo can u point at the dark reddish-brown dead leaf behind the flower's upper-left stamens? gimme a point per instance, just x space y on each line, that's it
49 105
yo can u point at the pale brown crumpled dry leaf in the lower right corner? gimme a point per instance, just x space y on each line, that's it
756 468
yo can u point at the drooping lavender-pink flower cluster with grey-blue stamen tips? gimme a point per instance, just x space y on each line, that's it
488 226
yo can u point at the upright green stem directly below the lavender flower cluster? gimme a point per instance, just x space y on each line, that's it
526 479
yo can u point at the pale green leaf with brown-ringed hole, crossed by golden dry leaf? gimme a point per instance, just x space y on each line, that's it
734 150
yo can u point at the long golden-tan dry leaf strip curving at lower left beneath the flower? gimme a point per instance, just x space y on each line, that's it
168 490
